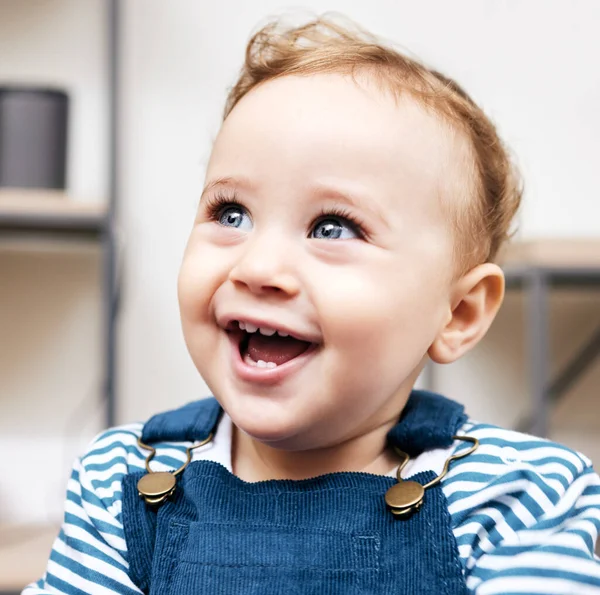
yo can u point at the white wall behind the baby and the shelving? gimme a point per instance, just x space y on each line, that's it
532 65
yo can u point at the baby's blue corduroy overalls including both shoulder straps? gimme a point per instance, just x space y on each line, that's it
327 535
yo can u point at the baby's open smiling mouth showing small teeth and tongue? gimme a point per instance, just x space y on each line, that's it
263 347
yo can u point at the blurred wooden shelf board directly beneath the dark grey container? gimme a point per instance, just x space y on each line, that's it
49 211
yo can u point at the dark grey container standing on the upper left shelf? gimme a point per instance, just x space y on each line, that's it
33 137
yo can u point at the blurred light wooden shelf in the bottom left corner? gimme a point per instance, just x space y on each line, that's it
24 553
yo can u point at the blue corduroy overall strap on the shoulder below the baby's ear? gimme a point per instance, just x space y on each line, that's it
428 421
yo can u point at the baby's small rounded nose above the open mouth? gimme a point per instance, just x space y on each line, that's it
265 266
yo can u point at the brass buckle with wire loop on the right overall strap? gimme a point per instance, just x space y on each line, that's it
406 497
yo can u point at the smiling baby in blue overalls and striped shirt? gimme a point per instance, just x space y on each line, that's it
355 201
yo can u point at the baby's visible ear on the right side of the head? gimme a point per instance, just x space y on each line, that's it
475 301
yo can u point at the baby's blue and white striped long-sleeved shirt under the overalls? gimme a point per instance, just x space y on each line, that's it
525 512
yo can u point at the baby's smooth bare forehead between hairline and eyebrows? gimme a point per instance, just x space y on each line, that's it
293 131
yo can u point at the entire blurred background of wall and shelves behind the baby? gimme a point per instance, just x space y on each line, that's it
91 240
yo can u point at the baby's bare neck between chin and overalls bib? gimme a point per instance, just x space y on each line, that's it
255 461
